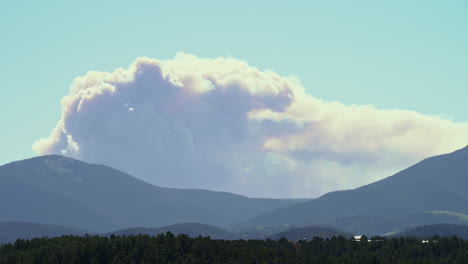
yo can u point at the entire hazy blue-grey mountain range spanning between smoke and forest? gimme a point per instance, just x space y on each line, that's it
62 191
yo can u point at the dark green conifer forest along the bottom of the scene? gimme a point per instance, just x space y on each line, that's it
168 248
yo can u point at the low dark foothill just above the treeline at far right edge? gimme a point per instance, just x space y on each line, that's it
428 231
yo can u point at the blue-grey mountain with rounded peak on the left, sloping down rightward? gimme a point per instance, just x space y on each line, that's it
60 190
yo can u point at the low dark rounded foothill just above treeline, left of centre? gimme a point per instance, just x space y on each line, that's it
190 229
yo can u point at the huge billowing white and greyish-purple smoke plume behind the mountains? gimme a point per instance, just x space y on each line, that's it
221 124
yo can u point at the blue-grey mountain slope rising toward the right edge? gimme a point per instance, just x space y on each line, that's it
435 184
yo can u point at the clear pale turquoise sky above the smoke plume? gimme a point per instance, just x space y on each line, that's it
392 54
